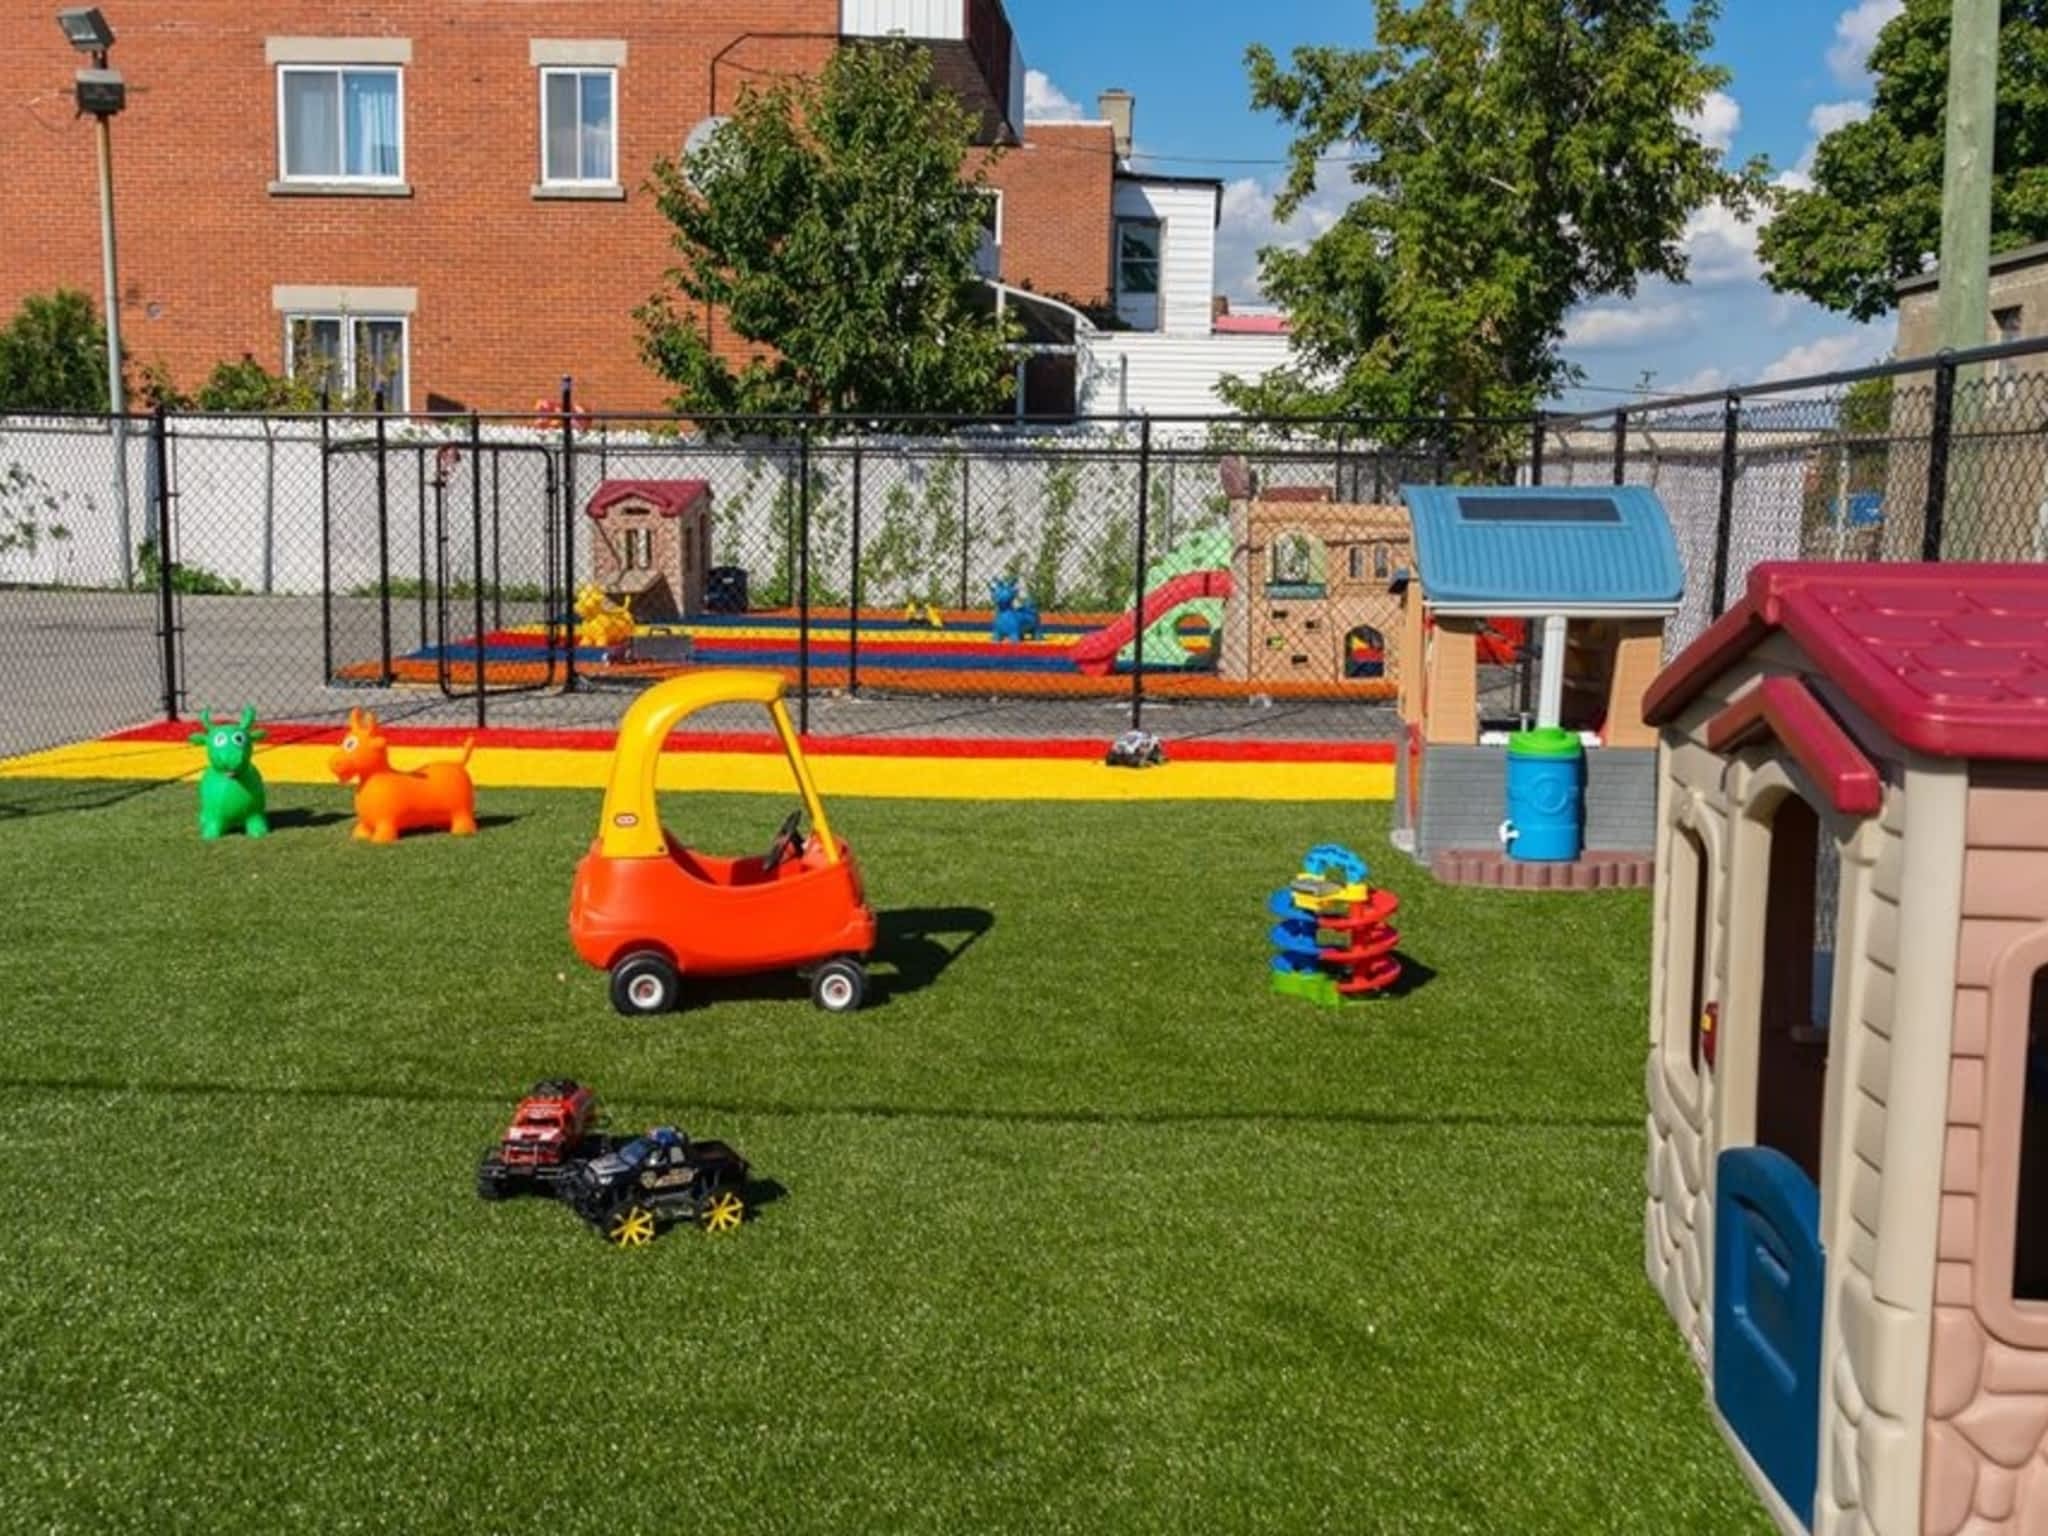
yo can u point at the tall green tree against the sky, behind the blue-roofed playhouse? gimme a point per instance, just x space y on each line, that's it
1512 159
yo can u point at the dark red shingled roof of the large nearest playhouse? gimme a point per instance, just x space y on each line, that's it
1951 660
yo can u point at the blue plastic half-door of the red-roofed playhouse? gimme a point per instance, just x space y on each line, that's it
1768 1279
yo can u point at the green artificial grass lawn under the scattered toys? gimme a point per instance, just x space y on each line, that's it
1080 1230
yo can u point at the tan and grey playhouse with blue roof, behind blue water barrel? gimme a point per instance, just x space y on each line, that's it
1531 607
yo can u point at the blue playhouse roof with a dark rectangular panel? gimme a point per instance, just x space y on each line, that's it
1521 548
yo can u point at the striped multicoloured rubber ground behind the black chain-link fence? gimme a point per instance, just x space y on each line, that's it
878 650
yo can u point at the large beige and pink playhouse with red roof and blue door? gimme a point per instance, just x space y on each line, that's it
1848 1074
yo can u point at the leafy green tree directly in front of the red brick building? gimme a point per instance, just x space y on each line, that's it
828 228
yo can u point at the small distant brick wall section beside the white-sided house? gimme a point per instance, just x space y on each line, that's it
1058 210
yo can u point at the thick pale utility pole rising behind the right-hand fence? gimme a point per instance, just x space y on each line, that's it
1963 302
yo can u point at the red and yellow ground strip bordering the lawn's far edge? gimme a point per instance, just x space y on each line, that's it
753 763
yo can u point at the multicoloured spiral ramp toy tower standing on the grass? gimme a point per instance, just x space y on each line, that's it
1332 941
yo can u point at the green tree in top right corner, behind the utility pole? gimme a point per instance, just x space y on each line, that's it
1873 214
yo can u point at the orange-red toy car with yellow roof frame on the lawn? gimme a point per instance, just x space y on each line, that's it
652 910
